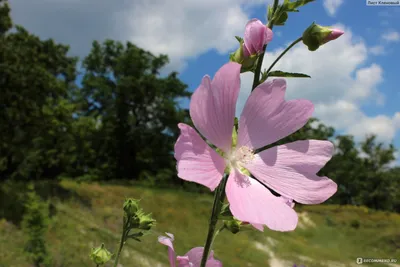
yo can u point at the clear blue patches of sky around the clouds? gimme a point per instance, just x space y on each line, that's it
352 14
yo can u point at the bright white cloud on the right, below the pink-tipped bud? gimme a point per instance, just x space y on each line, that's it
341 83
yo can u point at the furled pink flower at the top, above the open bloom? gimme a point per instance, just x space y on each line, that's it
256 35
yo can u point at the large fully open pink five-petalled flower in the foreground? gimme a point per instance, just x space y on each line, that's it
288 169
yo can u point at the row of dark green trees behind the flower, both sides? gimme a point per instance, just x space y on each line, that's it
116 118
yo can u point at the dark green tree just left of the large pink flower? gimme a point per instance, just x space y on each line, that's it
136 109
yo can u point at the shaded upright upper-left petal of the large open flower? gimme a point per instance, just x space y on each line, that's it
213 105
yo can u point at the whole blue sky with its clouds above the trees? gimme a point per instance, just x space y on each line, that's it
355 79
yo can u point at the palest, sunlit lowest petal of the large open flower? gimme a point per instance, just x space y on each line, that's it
250 201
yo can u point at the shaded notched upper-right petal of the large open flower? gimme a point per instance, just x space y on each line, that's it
267 117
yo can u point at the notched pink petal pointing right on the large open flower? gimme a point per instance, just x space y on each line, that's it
291 169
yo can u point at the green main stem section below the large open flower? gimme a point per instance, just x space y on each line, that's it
217 206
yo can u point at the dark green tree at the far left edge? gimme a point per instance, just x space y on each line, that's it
35 113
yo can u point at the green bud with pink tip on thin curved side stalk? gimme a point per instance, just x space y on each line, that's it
315 36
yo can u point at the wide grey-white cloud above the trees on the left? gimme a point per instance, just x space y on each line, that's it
181 29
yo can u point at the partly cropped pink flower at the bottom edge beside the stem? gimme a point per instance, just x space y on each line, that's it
191 259
